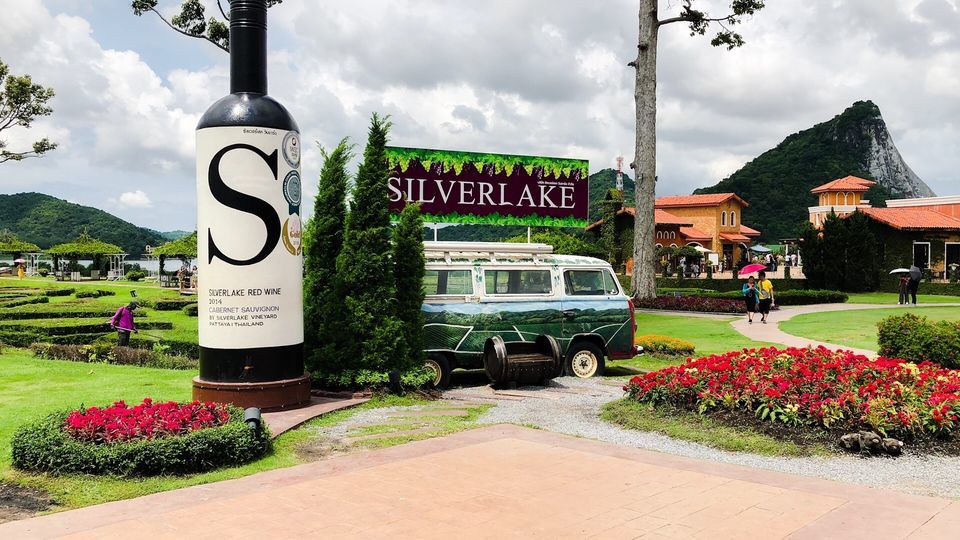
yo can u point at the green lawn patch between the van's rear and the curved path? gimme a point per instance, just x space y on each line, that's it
709 335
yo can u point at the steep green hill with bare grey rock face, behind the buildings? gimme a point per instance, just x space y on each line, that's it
777 183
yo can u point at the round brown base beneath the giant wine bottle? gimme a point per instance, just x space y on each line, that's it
268 396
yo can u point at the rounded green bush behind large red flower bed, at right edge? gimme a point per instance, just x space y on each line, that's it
915 339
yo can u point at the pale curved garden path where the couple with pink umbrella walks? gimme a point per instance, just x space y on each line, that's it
771 332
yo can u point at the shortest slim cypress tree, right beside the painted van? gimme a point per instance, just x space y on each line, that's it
408 268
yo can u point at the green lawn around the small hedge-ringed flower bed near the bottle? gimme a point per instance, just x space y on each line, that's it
31 388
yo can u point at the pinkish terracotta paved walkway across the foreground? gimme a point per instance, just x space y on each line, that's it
510 482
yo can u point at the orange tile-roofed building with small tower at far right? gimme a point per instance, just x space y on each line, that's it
924 231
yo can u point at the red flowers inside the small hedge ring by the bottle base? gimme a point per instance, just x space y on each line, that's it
148 420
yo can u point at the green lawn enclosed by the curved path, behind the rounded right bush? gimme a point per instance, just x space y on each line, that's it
856 328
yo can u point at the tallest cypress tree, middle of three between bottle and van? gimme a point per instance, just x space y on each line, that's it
365 279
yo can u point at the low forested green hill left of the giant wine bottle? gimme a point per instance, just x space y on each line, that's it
47 221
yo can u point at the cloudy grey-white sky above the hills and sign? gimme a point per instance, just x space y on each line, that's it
542 77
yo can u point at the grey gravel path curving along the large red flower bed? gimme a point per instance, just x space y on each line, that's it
575 413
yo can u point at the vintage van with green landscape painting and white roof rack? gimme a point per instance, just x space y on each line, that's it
518 291
